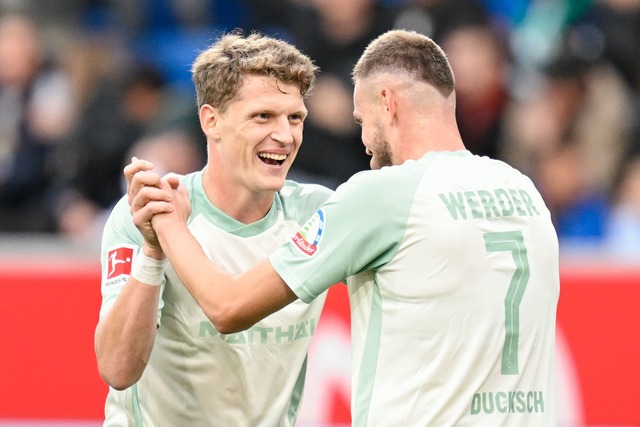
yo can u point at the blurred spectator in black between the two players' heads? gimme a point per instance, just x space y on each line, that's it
334 33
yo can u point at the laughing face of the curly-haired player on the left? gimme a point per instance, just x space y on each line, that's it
258 136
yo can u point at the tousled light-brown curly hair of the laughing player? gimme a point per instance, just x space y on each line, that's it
218 72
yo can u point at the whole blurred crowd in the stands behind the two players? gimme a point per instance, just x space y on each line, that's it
551 87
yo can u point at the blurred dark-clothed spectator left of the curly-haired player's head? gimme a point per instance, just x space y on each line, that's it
119 113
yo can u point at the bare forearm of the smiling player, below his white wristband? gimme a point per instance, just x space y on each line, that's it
125 336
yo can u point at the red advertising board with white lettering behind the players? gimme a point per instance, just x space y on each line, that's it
48 312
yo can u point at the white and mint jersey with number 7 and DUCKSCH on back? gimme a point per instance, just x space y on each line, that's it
453 273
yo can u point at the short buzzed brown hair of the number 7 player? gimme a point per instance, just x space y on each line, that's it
408 52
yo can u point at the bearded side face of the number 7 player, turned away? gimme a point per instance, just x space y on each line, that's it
366 113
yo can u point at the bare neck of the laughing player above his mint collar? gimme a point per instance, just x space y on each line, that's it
235 199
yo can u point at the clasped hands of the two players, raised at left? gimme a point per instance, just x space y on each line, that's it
154 202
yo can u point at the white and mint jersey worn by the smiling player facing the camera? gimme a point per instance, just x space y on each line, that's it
197 376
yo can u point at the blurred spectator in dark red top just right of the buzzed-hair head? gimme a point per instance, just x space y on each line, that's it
480 59
